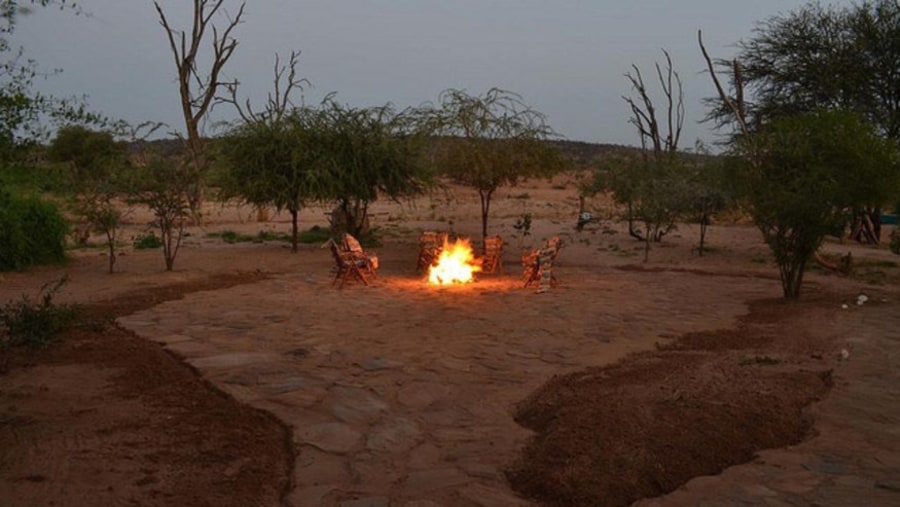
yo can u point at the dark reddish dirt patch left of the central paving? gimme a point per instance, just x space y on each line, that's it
112 419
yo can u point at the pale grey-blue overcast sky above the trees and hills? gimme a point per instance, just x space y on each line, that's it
566 58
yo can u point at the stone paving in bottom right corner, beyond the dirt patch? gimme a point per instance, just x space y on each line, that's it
854 460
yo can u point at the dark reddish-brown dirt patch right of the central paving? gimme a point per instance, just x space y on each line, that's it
644 426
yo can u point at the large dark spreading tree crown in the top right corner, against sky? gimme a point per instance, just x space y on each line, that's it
842 58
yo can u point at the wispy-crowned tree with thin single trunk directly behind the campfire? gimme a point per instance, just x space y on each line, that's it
491 140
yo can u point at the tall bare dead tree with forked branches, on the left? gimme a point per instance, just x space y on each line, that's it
198 89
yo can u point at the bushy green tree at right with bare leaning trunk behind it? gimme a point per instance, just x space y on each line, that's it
801 171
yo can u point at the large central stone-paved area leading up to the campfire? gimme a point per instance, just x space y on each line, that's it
400 394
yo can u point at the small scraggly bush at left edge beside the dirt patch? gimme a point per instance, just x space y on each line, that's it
36 324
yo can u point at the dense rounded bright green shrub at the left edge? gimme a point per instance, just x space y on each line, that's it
32 232
